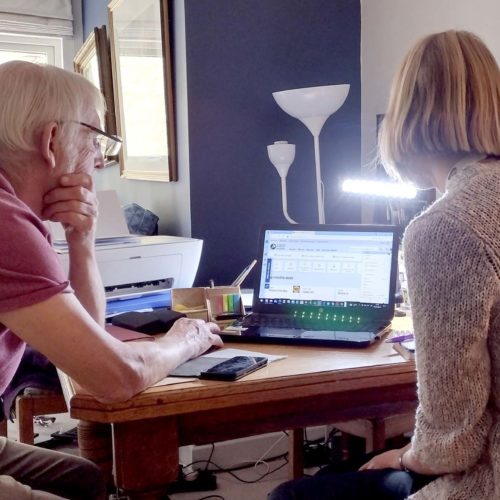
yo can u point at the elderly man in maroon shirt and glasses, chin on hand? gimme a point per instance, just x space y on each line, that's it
50 143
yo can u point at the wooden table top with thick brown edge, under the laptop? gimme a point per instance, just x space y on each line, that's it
306 371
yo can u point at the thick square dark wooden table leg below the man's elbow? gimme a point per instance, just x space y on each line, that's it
145 456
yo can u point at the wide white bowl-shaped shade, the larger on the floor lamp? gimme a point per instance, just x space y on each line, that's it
312 105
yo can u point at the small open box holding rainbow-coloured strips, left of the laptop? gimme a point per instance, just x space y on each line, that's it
224 304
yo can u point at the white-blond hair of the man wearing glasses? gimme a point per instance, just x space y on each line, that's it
33 95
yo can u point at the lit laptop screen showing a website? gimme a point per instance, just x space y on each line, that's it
327 268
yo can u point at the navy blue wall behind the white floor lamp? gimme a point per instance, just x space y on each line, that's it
238 53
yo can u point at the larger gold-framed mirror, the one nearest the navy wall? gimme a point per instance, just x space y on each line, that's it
142 79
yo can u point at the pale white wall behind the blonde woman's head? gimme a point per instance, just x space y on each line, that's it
390 27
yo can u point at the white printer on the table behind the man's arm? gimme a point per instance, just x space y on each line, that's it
135 265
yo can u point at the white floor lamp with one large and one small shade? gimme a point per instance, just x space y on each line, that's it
312 106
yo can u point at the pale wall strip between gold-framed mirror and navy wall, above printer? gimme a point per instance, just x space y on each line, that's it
169 200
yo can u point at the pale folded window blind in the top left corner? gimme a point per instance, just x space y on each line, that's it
47 17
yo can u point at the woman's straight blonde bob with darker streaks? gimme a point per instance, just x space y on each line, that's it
445 98
